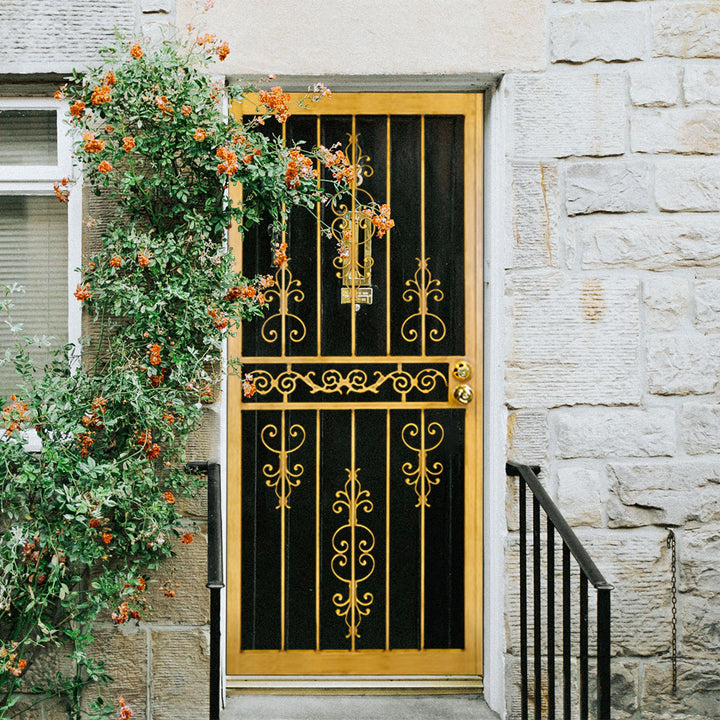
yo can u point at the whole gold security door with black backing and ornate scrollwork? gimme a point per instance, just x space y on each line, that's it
354 496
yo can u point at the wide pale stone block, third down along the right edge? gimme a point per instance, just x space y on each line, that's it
677 130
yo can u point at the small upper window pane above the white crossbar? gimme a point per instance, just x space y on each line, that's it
28 137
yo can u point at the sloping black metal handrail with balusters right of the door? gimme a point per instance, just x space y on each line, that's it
589 573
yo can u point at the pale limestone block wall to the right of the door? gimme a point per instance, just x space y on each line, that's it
612 287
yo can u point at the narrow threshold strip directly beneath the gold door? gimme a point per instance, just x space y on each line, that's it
355 684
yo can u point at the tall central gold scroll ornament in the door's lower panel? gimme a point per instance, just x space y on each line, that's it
352 562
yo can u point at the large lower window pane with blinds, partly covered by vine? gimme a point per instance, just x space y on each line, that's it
33 253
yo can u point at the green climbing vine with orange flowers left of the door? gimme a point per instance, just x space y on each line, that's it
89 519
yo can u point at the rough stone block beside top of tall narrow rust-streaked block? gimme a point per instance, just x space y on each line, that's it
606 187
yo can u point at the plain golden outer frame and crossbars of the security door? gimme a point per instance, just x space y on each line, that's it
390 662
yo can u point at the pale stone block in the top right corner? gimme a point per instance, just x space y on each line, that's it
687 29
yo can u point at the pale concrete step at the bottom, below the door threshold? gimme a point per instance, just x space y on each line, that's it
357 707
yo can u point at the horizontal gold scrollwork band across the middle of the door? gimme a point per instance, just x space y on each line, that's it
355 381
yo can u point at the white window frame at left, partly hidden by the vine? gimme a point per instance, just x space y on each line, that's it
37 180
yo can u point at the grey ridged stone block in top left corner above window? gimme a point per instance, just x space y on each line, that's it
42 37
